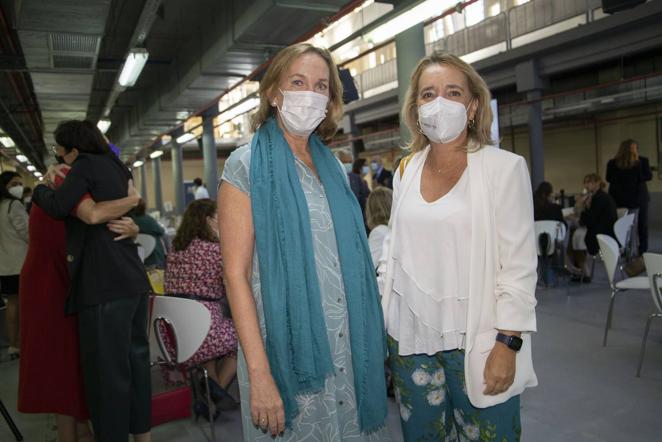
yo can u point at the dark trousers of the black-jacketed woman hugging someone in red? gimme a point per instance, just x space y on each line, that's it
114 353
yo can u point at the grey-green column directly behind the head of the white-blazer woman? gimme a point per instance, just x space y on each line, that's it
410 47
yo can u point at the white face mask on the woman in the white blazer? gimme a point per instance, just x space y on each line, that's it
442 120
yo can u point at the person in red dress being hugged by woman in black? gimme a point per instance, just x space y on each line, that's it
49 338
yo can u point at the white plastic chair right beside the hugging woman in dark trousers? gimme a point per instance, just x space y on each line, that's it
190 322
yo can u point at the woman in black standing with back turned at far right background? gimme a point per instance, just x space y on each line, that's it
627 174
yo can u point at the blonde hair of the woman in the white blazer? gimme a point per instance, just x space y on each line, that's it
479 131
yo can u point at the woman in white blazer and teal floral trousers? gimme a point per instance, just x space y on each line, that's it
458 270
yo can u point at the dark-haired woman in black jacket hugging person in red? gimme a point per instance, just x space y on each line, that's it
109 287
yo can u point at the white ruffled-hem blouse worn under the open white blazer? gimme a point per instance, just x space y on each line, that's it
431 275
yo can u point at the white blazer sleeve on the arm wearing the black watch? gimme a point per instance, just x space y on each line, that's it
517 257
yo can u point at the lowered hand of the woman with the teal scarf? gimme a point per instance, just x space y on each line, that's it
267 408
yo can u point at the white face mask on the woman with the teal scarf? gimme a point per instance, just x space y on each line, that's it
302 111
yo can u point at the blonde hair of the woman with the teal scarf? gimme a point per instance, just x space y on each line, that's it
279 66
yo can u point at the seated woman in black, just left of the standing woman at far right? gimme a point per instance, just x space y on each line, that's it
598 212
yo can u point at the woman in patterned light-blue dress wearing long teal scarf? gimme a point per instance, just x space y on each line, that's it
298 270
